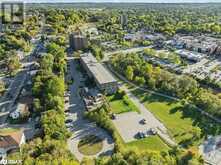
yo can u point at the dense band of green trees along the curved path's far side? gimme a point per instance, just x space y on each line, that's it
134 68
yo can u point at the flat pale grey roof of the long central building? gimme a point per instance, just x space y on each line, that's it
100 73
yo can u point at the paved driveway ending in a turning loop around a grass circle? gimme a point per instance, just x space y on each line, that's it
81 126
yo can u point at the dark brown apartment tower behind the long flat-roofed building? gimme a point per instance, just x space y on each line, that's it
78 41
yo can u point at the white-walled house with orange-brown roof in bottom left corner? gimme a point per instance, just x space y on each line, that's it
9 141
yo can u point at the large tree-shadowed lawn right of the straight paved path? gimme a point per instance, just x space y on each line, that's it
184 124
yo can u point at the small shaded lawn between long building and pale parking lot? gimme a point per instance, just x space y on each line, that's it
121 103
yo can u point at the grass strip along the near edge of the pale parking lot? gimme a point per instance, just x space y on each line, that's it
151 143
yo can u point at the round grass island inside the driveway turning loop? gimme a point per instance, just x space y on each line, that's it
90 145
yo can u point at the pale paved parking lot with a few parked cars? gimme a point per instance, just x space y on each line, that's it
129 124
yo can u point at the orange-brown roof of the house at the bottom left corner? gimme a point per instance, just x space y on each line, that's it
9 139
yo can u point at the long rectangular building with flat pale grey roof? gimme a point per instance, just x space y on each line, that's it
102 77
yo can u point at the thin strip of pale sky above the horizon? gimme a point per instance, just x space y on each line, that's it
123 1
